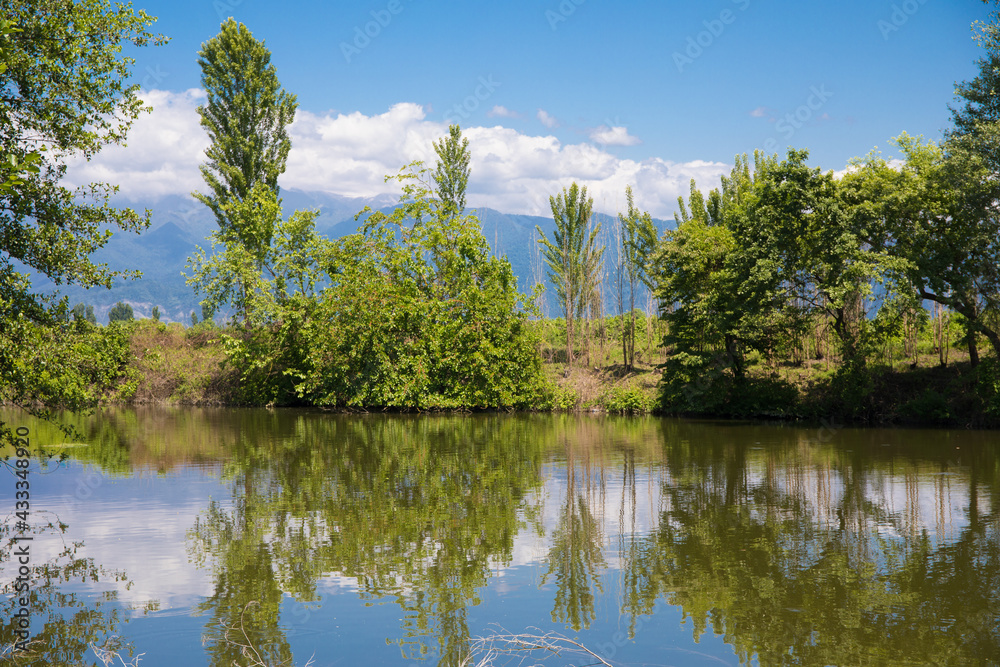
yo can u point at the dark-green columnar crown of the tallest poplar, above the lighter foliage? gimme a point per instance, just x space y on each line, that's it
246 117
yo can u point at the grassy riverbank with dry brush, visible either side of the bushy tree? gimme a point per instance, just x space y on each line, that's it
181 365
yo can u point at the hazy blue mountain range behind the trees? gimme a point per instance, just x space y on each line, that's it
179 224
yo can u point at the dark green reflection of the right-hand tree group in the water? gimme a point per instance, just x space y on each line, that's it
794 555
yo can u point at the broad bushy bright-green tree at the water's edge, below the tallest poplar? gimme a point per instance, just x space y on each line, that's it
418 314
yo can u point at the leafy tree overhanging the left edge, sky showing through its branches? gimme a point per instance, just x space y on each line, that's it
65 93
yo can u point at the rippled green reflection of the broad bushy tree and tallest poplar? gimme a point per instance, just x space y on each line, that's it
415 509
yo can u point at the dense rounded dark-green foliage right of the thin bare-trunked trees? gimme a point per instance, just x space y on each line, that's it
761 258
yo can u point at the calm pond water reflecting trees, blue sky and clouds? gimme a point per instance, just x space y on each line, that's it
221 537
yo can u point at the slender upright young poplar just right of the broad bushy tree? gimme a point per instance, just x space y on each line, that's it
573 257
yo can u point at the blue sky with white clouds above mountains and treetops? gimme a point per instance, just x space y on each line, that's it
548 92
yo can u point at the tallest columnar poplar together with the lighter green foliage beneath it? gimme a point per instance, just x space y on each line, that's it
246 117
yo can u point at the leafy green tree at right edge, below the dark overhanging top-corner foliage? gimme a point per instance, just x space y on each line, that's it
936 215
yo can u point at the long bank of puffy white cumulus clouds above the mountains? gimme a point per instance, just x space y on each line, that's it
350 154
